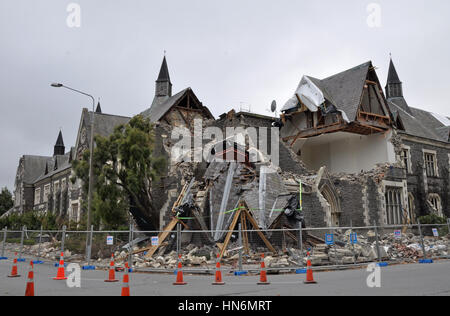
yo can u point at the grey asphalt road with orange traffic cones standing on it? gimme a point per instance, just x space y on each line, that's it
410 280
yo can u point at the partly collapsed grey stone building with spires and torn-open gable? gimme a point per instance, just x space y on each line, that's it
348 152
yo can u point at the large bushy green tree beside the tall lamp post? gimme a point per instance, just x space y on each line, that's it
125 169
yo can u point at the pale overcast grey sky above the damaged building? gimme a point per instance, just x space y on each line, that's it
230 52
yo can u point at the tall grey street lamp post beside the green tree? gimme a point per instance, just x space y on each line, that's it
91 151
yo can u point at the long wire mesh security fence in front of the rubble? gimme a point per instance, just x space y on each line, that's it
239 251
